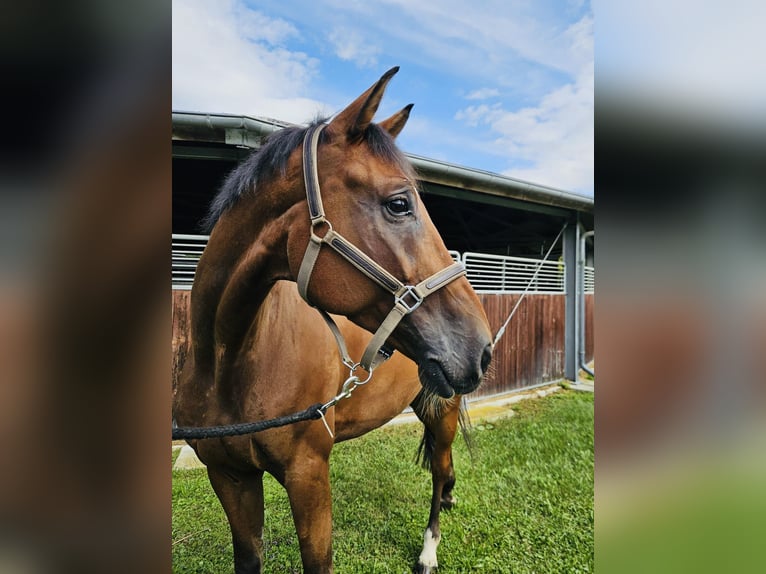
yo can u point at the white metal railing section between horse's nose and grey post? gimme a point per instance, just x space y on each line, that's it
502 274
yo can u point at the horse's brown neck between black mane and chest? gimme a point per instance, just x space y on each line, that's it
245 256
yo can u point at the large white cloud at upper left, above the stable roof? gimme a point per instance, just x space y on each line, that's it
230 58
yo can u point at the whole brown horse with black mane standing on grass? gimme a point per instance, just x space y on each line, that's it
258 351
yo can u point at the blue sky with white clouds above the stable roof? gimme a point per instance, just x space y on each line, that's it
499 85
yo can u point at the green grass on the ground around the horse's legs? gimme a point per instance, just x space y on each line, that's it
525 501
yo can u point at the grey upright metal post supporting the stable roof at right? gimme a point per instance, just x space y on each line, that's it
571 323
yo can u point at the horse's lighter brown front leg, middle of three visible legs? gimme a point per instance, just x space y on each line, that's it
308 487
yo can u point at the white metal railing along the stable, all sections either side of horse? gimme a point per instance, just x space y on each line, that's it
487 273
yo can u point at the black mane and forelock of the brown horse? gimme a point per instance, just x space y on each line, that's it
271 159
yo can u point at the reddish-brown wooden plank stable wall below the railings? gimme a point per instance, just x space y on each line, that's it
530 352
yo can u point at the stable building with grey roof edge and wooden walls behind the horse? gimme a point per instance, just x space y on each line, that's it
500 227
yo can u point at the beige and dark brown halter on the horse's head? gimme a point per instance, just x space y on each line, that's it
407 298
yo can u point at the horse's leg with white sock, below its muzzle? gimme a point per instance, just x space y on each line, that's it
442 432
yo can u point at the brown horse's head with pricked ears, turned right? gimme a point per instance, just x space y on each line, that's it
370 196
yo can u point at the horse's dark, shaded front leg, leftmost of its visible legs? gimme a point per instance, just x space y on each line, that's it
242 501
